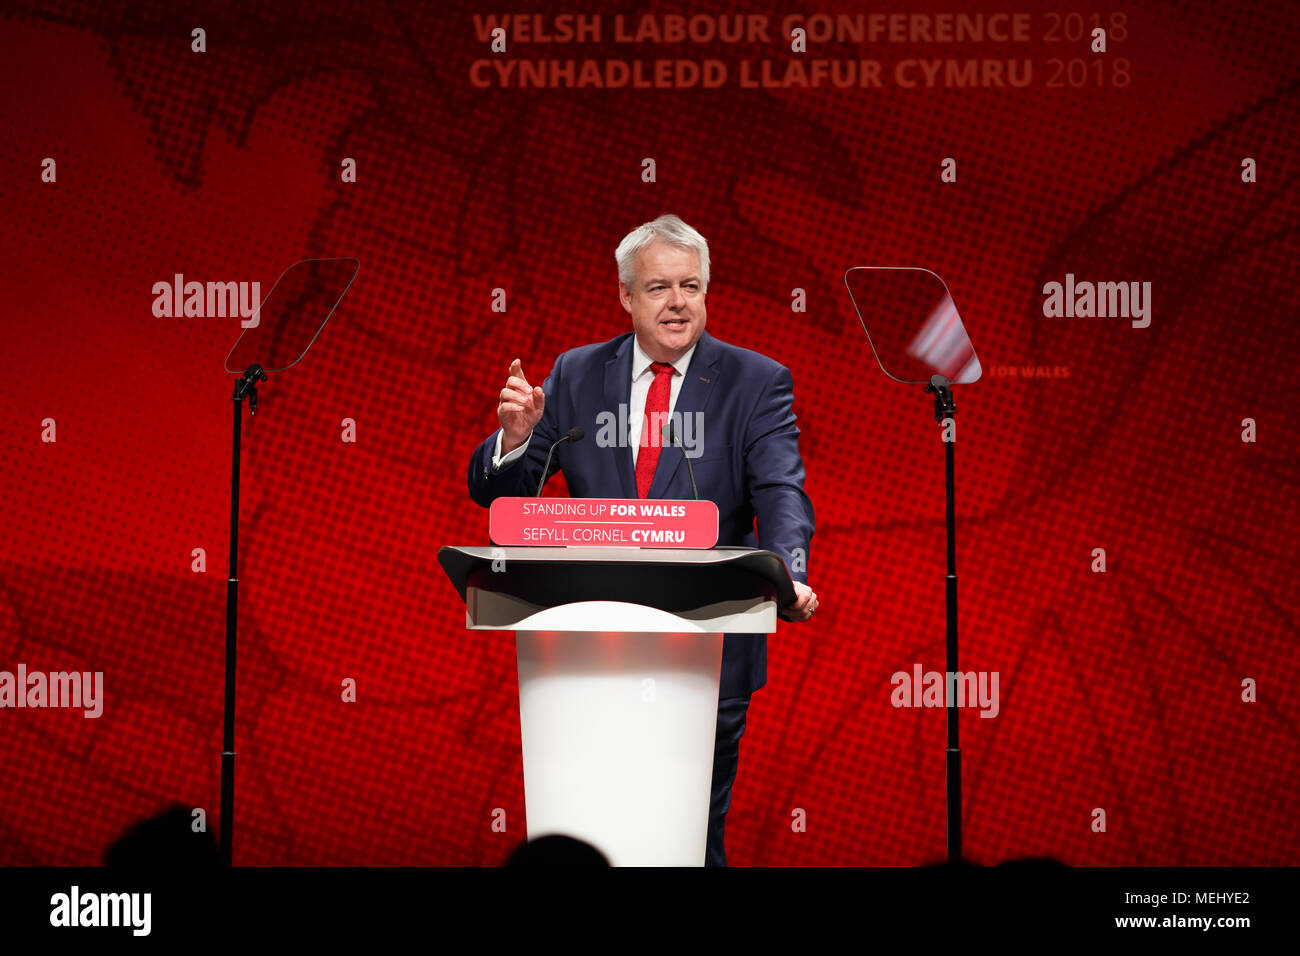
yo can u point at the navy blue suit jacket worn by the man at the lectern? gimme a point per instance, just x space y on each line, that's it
748 461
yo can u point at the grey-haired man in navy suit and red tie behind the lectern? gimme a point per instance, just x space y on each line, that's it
733 413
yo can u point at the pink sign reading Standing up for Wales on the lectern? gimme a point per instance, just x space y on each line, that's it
604 522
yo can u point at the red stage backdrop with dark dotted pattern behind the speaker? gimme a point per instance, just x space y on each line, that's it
1121 691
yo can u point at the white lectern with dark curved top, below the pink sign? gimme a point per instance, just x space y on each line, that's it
619 655
